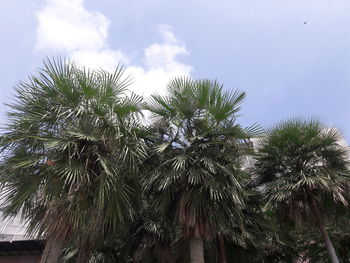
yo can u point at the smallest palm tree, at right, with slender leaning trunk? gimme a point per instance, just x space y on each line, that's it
300 166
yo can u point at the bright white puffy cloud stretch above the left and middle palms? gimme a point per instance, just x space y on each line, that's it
66 26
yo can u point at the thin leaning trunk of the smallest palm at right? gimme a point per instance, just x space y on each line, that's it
320 223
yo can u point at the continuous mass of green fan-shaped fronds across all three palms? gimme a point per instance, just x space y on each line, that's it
82 170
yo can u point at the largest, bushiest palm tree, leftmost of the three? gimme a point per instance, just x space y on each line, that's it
68 153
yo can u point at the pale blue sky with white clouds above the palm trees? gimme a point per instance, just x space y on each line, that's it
292 57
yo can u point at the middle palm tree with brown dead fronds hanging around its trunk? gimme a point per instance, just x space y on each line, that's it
198 179
